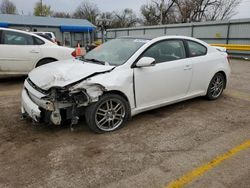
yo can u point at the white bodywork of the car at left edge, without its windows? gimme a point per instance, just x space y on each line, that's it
21 59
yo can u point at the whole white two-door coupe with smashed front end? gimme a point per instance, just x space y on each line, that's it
122 78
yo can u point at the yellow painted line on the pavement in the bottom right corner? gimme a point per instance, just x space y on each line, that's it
190 176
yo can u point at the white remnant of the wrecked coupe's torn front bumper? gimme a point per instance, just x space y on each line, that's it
29 107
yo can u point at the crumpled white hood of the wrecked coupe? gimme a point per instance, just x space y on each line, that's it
63 73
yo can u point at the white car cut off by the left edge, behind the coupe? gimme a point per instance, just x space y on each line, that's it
20 52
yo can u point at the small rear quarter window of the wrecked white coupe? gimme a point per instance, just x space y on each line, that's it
196 49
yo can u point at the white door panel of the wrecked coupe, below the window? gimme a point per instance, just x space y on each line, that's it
149 93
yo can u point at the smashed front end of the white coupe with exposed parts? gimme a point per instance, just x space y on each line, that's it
59 104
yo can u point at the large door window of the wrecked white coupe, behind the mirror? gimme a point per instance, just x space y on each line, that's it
167 50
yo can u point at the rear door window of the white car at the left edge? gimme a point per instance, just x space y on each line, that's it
15 38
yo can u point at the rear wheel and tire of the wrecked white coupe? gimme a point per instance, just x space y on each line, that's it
216 86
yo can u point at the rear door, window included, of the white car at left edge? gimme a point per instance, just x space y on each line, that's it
18 52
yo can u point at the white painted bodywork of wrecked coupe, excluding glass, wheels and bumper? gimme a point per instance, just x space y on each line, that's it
145 88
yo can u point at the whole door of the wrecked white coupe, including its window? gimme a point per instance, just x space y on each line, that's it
168 80
